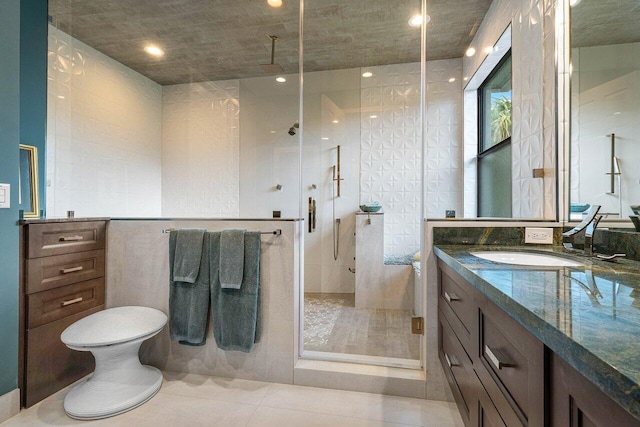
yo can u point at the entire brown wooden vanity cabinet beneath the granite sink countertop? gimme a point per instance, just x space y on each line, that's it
501 375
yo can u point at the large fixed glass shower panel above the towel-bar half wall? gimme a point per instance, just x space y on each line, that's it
174 112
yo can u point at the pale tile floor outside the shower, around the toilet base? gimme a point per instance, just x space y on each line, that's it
196 400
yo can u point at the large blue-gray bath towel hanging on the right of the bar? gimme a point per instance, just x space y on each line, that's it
236 312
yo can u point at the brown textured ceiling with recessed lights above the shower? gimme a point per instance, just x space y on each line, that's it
225 39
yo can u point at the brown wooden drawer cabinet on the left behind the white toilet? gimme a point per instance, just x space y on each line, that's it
62 280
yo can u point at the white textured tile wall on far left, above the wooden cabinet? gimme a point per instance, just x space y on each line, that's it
103 134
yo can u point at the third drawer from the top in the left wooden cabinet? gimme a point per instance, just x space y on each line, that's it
54 304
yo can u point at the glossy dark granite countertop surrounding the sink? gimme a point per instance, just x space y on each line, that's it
588 315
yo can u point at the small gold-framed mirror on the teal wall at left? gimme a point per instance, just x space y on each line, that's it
28 194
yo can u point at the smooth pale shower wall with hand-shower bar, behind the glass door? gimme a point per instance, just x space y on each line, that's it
329 96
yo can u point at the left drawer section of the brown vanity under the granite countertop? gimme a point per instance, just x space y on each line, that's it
505 369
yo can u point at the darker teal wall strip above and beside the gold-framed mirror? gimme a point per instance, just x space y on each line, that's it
33 82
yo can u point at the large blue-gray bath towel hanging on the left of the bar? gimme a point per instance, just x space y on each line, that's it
189 302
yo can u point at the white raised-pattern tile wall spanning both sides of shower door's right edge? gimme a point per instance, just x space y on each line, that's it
391 151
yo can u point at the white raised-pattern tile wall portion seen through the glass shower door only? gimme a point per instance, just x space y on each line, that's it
390 152
